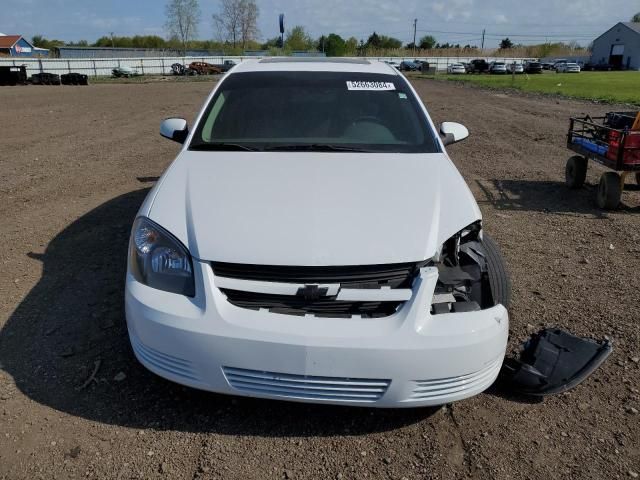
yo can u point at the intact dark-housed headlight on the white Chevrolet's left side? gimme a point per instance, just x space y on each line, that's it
159 260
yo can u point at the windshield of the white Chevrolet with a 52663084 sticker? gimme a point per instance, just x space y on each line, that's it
324 111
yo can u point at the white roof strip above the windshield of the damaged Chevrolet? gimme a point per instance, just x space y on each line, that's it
314 64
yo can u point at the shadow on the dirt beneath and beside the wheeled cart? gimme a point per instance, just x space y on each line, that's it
545 196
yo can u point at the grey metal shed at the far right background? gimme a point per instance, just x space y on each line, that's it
619 46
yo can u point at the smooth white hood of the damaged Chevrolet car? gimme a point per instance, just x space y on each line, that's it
311 208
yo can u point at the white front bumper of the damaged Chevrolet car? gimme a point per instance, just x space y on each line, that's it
408 359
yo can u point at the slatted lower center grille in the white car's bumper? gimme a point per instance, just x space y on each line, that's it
309 387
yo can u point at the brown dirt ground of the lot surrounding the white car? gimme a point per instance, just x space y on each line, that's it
75 164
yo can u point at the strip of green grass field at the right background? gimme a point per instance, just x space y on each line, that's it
618 87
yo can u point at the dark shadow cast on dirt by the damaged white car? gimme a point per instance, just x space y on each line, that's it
66 347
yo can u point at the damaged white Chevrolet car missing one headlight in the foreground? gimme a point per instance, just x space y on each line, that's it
313 241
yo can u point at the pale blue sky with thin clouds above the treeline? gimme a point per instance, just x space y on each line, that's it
455 21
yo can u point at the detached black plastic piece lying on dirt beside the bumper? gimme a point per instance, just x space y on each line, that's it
553 361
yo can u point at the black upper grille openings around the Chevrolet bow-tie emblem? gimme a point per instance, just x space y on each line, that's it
398 275
